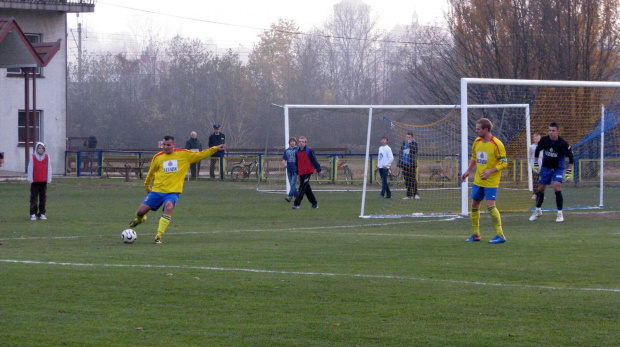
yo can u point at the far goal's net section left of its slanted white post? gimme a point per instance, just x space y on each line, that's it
337 136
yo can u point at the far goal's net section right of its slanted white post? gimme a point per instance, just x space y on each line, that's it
434 188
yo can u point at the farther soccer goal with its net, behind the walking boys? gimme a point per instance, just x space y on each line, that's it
348 158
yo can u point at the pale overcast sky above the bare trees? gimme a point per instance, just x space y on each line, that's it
227 23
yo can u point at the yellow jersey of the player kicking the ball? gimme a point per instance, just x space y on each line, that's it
168 171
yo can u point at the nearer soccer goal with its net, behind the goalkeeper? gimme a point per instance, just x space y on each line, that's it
587 113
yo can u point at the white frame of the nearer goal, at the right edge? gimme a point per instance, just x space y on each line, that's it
465 82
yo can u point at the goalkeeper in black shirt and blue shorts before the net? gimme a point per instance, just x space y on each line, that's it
556 150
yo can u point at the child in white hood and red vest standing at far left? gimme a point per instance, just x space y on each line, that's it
39 175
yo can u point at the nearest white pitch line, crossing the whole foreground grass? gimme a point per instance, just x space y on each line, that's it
300 273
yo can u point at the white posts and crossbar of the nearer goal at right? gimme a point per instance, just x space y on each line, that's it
506 83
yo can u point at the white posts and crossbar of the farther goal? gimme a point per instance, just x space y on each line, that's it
370 108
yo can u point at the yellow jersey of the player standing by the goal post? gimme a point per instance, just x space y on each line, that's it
489 155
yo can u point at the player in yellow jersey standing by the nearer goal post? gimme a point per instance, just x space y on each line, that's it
488 156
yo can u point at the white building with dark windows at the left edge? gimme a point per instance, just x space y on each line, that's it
40 21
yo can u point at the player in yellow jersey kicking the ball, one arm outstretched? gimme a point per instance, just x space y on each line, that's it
167 176
